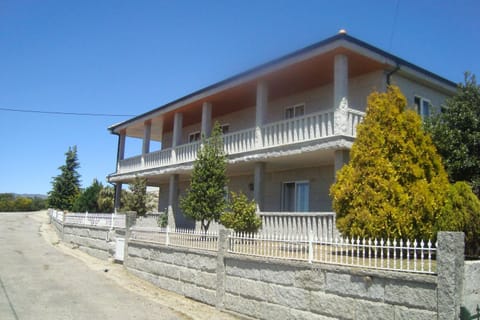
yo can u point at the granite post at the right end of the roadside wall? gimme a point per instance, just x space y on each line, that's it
450 265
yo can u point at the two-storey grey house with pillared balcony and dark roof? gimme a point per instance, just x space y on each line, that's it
288 125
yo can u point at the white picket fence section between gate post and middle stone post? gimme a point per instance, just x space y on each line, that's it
177 237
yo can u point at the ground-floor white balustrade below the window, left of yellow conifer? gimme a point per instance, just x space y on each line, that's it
322 224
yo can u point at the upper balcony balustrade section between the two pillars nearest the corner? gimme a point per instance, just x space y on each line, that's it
299 129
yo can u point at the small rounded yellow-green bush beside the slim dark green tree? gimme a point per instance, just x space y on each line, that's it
242 216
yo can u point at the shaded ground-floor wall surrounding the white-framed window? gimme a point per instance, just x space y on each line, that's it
320 178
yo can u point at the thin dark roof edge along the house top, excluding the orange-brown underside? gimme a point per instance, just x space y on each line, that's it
339 40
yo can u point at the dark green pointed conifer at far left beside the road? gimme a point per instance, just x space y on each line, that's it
66 186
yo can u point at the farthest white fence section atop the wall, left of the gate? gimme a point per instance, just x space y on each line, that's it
111 220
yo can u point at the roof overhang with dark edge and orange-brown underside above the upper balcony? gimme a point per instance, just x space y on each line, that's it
312 65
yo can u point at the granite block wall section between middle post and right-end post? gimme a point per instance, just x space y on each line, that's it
273 289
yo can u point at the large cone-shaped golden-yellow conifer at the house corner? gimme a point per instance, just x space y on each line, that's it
395 185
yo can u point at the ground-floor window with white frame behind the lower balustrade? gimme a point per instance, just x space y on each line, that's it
295 196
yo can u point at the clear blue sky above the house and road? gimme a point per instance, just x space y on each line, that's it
127 57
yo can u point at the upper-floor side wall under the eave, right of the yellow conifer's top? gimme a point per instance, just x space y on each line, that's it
411 89
